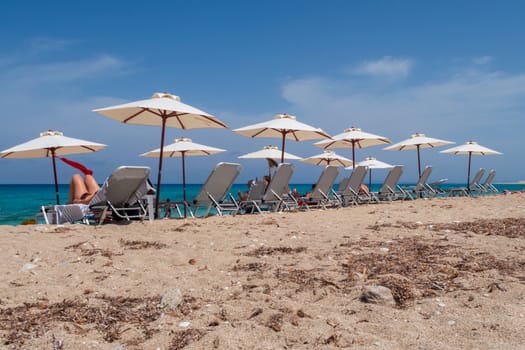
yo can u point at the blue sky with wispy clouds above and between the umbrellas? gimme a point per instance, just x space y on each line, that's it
454 70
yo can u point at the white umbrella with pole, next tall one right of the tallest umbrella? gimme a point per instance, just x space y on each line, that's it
283 126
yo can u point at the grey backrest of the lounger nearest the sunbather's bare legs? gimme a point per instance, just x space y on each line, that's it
122 185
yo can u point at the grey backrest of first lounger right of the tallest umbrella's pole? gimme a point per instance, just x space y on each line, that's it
218 183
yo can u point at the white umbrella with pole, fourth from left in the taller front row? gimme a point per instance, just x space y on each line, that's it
353 138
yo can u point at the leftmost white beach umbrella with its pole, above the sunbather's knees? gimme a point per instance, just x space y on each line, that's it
51 144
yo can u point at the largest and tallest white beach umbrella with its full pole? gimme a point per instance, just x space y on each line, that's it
165 110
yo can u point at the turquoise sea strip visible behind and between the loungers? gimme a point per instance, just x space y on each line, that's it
21 203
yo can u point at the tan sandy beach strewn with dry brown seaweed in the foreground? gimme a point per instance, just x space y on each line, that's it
455 267
